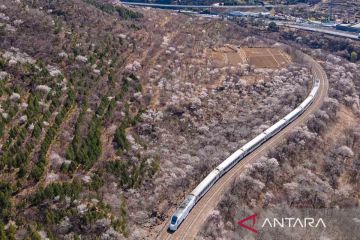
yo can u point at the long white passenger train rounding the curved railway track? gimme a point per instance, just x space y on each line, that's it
183 210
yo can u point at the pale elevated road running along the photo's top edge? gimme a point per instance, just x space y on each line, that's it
206 6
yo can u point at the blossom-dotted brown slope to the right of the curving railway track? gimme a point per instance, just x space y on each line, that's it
317 166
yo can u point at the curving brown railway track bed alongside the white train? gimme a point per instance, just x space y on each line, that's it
192 224
